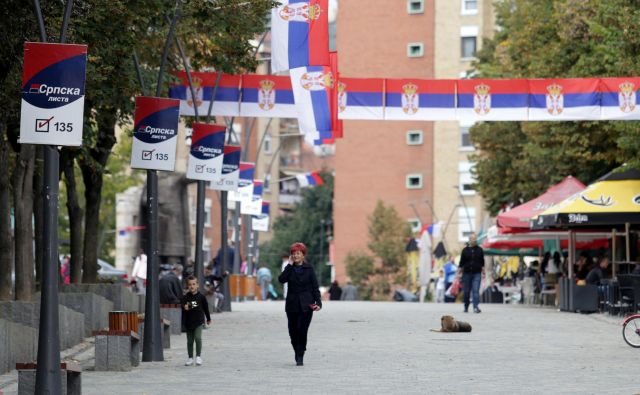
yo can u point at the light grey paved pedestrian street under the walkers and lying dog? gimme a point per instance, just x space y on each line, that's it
371 348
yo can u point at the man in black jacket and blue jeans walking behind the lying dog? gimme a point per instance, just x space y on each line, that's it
471 266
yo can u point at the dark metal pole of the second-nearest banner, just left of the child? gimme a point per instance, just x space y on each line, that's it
152 345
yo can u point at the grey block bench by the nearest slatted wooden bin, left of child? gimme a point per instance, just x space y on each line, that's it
116 350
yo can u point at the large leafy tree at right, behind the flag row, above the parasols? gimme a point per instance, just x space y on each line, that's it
549 39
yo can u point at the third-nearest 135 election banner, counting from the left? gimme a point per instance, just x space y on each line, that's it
206 154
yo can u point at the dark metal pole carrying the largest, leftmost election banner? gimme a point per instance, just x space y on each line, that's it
48 375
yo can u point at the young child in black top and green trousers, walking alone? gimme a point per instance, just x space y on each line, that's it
194 310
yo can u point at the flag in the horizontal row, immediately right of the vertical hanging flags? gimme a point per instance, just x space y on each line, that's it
361 98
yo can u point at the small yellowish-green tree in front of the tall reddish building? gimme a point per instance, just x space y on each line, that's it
387 237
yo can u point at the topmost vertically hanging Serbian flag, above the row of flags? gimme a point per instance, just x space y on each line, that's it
299 34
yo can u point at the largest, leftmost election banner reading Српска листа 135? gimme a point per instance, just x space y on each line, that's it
53 94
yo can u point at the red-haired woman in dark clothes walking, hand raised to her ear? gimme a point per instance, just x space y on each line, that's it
303 298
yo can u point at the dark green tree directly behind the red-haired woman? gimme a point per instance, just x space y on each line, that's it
303 224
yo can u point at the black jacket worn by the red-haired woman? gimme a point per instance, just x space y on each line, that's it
302 289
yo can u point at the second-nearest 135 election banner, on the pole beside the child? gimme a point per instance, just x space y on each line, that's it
154 133
